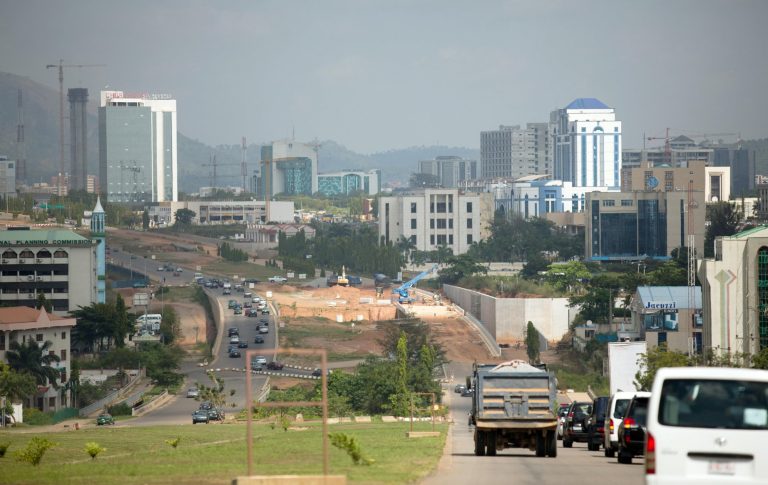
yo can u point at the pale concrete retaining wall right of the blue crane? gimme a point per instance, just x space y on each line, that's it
507 318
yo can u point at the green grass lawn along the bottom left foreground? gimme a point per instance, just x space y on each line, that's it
214 454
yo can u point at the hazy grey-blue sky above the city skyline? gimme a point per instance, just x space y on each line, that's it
376 75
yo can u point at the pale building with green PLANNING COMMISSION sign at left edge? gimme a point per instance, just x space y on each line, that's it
57 263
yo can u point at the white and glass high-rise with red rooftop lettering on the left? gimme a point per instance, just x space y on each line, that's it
138 147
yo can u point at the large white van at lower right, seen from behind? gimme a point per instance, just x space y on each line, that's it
707 425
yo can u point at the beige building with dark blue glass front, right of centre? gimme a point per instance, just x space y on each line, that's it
640 225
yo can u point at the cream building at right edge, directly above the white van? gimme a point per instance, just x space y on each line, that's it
735 293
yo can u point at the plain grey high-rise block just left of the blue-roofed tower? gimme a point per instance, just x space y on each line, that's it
513 152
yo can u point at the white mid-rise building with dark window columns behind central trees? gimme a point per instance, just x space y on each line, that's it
431 218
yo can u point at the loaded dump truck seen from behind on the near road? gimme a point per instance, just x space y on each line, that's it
513 406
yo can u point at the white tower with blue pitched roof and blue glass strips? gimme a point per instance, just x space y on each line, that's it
587 144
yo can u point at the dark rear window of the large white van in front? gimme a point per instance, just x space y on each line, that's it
705 403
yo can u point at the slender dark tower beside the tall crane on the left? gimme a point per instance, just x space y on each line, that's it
78 136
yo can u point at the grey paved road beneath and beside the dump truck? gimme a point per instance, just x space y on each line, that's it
573 466
